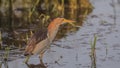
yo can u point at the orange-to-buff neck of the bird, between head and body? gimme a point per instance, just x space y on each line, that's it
52 31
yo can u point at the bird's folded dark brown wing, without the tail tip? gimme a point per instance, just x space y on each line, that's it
37 37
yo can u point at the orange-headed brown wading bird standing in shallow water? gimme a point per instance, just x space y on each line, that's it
42 39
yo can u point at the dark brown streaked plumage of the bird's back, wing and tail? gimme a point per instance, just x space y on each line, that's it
35 39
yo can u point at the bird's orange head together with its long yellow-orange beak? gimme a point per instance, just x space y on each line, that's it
60 21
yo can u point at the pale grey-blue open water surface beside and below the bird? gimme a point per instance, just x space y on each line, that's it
73 51
